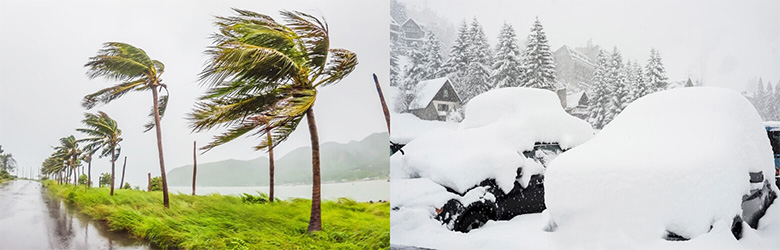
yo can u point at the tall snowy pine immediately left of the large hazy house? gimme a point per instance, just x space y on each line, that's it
538 63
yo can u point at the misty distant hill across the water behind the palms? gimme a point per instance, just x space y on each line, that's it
368 158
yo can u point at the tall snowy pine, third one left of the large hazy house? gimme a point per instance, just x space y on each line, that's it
477 80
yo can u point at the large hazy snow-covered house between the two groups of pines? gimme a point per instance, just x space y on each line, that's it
574 67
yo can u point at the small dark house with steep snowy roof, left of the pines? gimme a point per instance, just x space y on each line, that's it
435 99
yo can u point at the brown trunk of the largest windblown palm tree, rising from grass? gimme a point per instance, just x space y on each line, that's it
315 220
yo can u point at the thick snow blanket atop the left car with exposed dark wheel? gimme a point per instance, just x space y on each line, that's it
498 126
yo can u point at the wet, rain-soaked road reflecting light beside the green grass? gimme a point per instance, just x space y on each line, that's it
31 219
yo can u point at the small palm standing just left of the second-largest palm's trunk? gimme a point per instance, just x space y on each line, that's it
103 133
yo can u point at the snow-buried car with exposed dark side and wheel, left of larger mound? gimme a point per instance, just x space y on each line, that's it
494 162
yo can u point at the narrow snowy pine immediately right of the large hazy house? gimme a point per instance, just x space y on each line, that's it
599 92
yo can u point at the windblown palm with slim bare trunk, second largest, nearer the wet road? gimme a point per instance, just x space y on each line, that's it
136 71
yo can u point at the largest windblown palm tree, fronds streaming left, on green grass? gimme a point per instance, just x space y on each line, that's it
264 76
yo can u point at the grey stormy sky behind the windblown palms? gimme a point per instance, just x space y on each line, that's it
44 45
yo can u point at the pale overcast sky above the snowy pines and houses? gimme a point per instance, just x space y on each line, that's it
727 43
